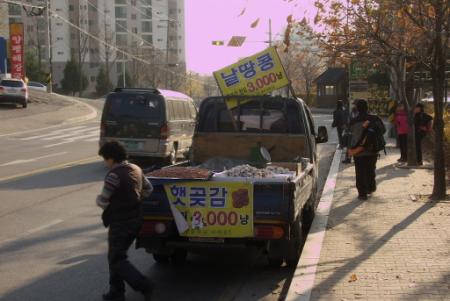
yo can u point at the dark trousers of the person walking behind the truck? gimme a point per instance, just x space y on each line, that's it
120 237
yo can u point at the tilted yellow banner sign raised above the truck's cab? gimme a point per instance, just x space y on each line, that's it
259 74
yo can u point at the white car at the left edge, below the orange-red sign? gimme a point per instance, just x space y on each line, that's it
14 91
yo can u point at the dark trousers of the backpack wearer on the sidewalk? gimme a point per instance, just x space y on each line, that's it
365 174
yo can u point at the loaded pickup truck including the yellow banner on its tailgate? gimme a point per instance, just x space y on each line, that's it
281 210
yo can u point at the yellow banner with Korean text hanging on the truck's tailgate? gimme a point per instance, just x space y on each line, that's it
214 209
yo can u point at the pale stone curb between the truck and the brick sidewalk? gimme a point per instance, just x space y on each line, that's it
305 273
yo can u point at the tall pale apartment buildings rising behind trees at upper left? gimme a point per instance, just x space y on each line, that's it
111 33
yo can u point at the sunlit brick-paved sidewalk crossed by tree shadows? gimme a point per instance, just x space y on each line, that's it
390 247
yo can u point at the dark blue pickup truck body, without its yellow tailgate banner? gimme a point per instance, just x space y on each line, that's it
233 128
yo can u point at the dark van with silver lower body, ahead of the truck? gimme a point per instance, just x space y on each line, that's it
150 123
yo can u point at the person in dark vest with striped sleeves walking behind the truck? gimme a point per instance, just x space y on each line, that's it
124 187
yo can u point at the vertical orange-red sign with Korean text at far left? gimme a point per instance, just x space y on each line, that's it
17 51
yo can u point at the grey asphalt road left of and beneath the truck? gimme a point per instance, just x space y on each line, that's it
53 246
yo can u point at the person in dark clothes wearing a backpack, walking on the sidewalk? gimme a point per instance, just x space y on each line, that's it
365 155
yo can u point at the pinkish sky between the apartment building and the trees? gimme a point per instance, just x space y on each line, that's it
211 20
